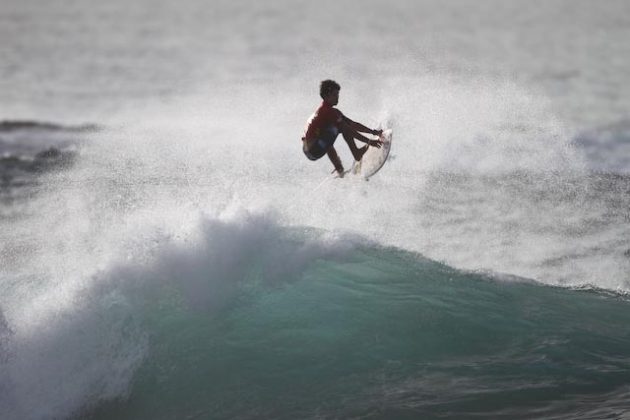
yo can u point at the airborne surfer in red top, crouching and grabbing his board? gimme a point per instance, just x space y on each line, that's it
327 122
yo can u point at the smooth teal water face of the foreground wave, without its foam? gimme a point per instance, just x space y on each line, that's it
383 333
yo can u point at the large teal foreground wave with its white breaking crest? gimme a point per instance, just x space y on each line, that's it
240 316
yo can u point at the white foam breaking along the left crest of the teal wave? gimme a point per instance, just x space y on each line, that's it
89 329
